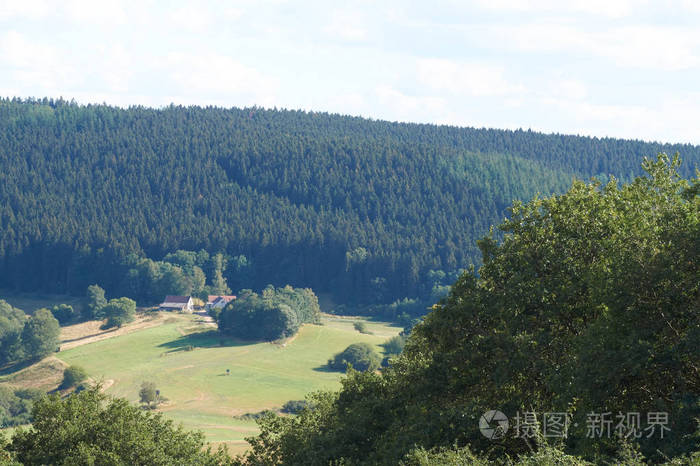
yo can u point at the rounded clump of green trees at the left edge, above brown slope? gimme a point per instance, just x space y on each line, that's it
26 338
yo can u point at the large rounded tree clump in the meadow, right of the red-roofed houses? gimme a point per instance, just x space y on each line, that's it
277 313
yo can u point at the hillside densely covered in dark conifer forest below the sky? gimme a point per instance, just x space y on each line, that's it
363 208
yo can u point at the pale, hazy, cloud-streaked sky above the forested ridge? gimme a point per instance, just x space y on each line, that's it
606 68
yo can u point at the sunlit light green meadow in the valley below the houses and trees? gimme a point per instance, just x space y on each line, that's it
188 360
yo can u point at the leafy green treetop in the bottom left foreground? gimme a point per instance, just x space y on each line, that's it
90 428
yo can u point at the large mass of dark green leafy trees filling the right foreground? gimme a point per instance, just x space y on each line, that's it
588 303
